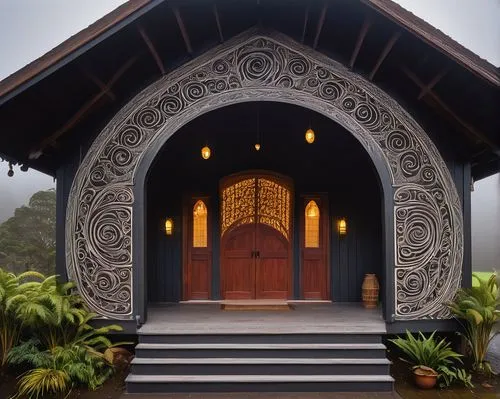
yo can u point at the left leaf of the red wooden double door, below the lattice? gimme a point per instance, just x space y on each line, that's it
238 263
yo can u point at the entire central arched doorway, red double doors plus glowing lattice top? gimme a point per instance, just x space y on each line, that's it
256 242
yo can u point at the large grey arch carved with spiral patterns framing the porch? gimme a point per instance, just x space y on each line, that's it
428 227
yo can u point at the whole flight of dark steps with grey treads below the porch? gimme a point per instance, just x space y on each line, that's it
259 362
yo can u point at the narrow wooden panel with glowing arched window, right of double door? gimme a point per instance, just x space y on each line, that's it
315 271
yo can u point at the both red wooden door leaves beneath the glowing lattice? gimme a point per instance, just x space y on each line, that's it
255 263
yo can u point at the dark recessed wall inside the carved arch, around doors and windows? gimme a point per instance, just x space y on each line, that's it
335 164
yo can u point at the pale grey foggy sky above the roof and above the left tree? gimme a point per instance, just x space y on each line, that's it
29 28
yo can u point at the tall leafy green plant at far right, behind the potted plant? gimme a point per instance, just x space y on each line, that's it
478 309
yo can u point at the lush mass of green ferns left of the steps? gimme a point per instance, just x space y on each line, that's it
63 350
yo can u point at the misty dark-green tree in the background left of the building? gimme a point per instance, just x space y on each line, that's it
28 239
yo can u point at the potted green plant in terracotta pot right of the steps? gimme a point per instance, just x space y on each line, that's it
431 360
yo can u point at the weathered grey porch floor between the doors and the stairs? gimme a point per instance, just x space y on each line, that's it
306 318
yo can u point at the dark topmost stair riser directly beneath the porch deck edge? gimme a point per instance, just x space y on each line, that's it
165 338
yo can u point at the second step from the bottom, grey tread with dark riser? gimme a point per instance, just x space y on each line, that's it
272 366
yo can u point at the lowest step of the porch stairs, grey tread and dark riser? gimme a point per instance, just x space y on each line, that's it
258 383
